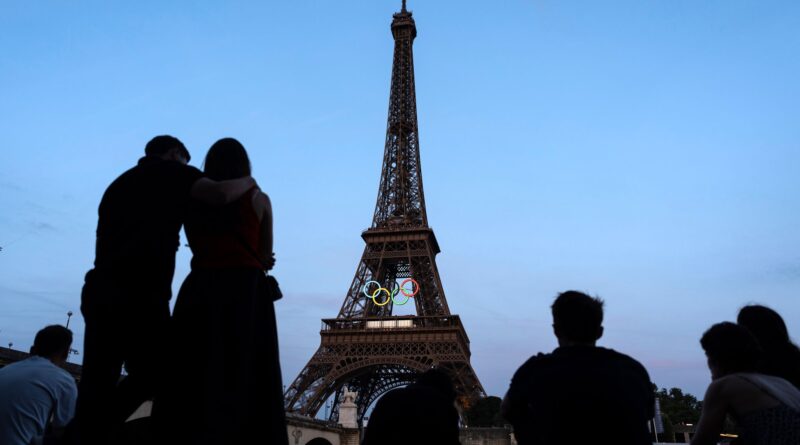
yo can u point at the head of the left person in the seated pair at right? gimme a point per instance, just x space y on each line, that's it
730 348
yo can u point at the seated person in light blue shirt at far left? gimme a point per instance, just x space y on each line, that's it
36 391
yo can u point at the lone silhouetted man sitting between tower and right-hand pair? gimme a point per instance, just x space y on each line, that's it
580 393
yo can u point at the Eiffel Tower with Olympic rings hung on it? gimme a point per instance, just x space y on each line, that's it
365 348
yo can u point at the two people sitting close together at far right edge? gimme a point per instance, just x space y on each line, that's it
755 370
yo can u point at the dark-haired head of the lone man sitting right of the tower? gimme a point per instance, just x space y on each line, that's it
577 318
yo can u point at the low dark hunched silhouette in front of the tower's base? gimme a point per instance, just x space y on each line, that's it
422 413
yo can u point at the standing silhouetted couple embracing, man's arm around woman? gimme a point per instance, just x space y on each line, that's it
213 368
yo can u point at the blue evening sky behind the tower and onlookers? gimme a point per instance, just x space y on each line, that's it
646 152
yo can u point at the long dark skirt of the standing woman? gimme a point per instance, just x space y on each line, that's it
224 386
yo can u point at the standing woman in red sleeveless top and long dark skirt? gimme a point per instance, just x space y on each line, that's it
226 384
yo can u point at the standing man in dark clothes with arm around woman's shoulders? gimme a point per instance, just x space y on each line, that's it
125 299
